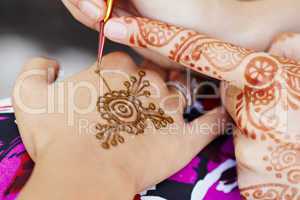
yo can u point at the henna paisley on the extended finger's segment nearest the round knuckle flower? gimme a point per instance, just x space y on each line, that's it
219 56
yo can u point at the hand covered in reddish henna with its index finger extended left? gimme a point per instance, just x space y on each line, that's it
261 93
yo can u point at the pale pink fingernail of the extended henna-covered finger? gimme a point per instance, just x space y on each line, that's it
115 30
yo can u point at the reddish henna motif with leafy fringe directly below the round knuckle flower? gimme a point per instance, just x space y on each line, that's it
254 111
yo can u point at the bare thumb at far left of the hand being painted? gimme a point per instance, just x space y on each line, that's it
30 96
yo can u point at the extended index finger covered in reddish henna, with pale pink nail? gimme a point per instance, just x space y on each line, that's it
198 52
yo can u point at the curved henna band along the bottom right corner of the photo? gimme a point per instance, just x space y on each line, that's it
270 192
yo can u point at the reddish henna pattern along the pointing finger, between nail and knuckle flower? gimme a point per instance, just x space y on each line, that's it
190 48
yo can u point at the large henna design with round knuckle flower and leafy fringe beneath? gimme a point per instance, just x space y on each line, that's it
273 87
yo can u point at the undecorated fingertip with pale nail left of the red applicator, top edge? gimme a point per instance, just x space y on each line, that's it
88 12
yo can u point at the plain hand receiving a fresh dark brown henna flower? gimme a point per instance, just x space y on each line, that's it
57 120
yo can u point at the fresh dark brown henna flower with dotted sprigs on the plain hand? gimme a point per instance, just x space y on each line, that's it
124 111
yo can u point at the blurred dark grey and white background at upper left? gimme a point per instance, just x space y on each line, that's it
43 28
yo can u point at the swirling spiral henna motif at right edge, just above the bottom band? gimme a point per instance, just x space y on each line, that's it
284 161
